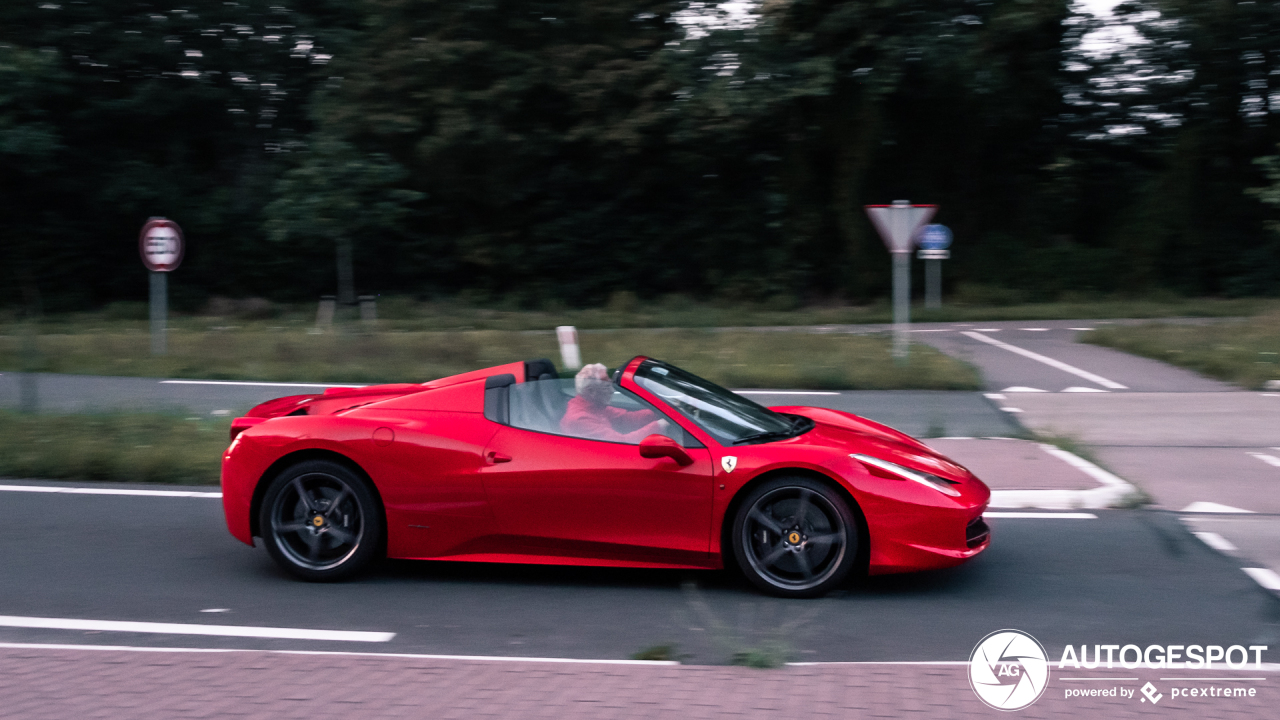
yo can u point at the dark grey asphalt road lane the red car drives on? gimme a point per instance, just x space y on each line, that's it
1127 577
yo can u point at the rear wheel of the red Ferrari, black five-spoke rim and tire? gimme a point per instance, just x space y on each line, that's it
322 522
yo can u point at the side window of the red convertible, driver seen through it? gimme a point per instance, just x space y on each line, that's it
554 407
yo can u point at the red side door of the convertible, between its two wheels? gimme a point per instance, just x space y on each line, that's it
559 498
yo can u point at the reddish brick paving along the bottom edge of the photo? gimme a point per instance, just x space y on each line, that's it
56 683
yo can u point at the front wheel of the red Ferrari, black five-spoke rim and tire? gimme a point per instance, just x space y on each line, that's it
796 537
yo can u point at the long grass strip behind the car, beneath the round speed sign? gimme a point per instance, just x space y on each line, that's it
734 359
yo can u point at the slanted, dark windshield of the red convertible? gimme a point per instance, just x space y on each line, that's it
725 416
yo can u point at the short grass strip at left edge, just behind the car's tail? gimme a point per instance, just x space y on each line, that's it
113 448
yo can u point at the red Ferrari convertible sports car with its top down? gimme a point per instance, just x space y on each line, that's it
500 466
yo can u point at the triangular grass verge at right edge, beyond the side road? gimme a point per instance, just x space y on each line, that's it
1246 353
